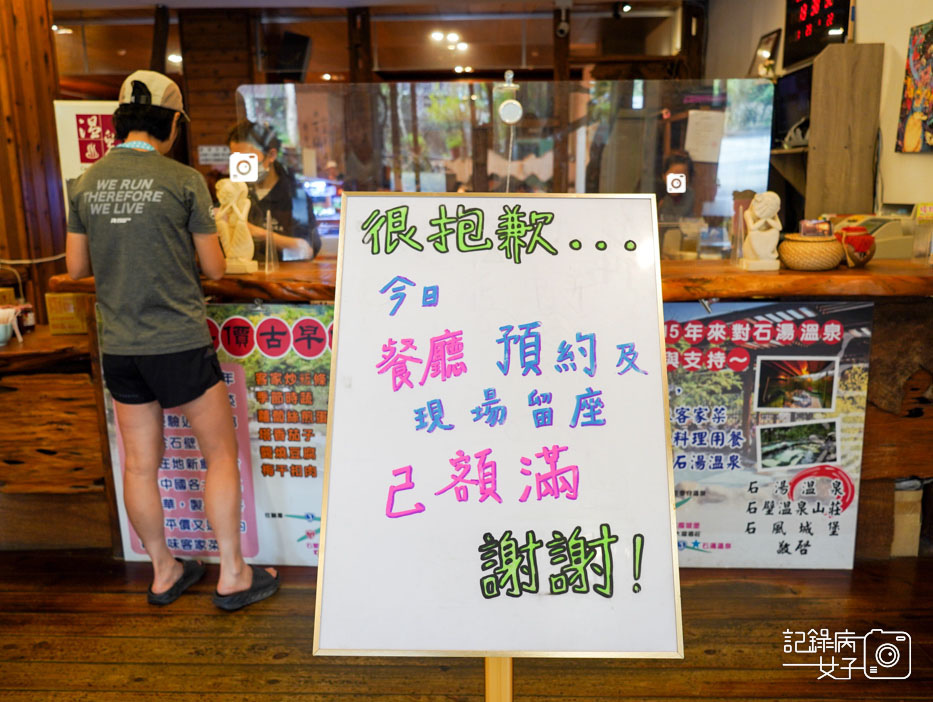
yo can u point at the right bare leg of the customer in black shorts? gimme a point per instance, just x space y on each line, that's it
212 422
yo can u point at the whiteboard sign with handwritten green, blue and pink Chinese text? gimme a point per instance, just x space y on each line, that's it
498 466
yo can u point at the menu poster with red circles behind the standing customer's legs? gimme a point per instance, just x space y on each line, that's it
276 364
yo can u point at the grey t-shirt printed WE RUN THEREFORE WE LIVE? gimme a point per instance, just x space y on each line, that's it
139 210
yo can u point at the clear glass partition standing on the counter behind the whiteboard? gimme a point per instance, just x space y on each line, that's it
701 146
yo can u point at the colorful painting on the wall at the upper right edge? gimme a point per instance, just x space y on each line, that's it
915 126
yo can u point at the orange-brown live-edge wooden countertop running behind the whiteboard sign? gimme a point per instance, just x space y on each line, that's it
315 281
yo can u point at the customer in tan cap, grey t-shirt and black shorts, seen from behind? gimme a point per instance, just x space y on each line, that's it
156 346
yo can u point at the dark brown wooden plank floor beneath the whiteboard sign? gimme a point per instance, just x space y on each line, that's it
75 626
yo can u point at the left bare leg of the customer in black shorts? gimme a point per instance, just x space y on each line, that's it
141 429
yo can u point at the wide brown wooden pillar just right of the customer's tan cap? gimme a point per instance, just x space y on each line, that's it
216 49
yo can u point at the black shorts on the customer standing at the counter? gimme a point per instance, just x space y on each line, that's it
171 378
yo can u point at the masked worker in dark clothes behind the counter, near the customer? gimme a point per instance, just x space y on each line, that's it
275 192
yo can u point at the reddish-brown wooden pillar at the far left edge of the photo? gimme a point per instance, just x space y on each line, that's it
32 210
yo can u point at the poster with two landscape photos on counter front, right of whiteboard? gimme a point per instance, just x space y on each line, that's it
767 412
